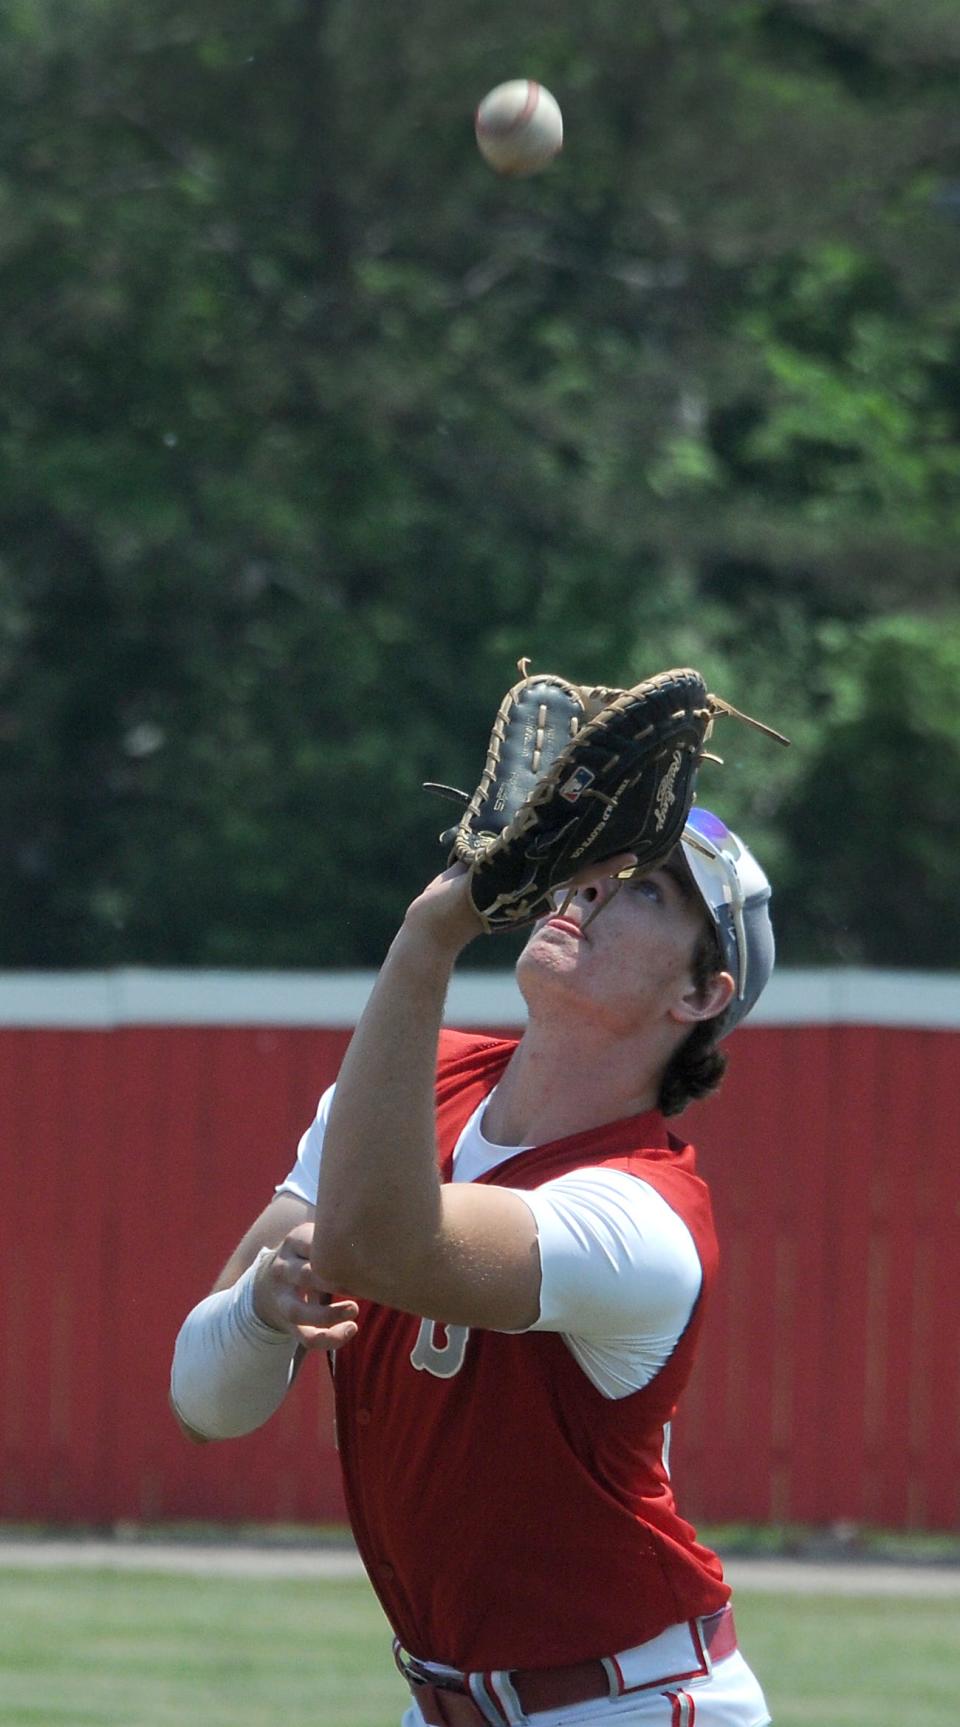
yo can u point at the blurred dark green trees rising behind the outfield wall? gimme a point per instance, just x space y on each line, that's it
312 427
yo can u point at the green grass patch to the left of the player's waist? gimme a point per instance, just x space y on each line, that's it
141 1650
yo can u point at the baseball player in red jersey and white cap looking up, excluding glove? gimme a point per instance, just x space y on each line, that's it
524 1255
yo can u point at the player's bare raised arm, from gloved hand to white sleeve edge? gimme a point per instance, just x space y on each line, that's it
386 1225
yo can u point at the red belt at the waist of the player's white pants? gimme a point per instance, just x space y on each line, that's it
450 1699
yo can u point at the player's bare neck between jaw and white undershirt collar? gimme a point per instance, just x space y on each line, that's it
557 1087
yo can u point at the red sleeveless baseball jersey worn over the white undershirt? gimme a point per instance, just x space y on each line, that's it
508 1514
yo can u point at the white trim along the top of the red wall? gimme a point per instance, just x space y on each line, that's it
146 997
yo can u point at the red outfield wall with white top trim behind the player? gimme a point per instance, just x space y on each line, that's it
146 1118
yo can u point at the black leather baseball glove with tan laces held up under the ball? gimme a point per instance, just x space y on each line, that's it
576 776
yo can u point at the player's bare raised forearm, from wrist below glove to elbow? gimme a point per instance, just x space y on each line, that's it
379 1196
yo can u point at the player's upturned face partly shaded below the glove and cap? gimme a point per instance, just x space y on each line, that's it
622 952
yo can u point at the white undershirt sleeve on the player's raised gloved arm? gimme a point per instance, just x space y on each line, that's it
621 1274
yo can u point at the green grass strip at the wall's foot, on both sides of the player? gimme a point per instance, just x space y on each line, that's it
141 1650
